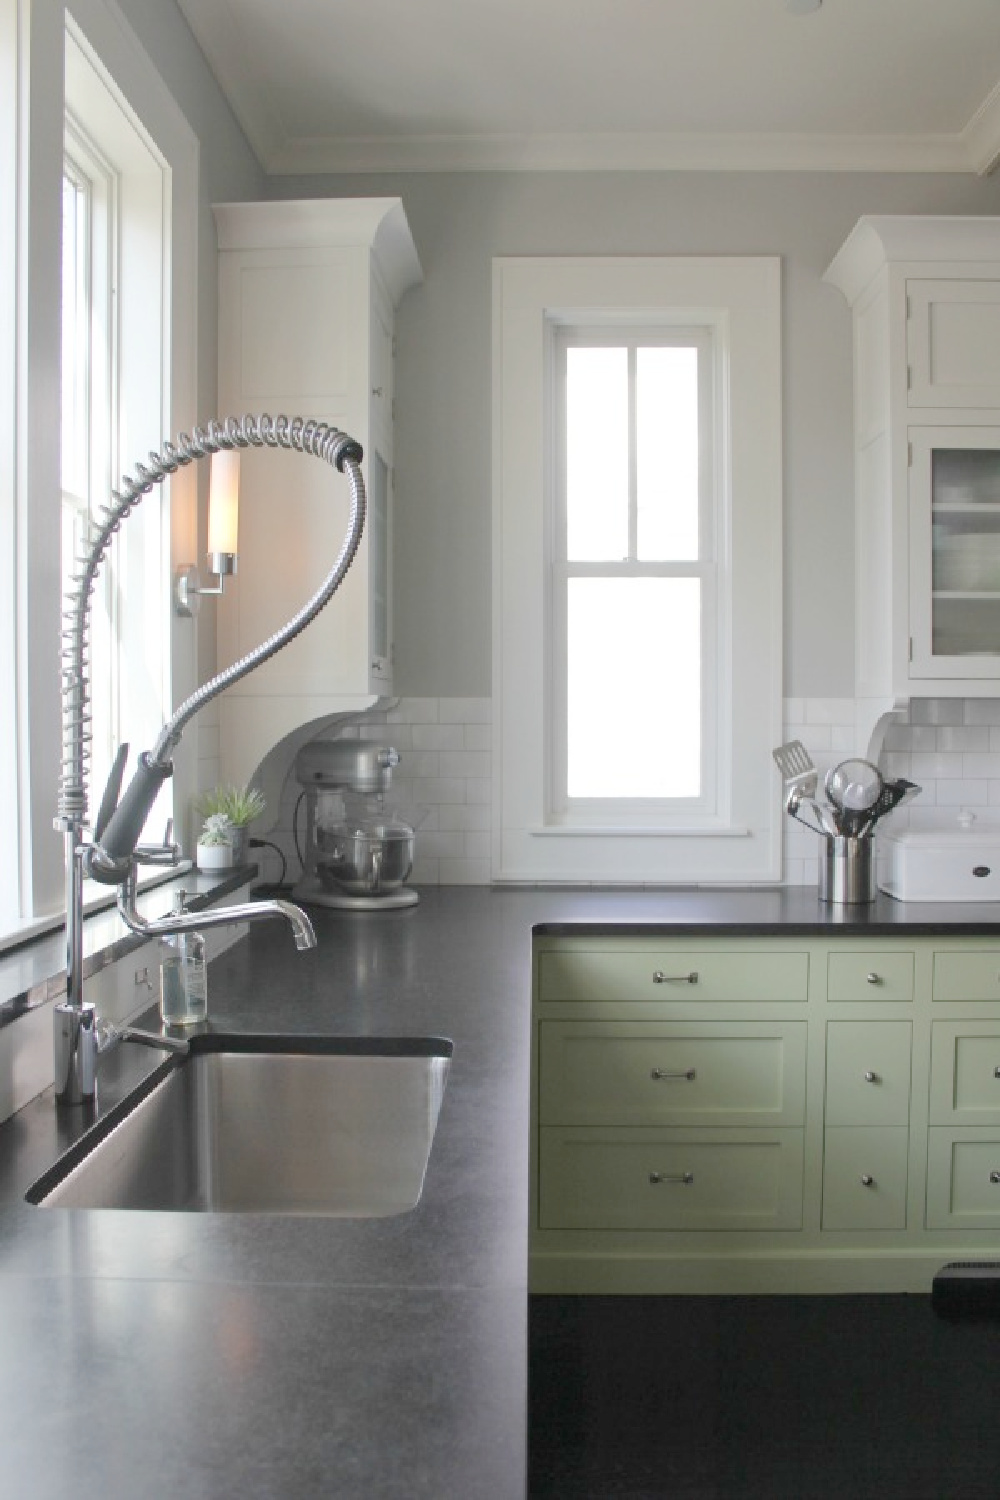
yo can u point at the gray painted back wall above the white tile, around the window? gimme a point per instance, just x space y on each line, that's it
461 221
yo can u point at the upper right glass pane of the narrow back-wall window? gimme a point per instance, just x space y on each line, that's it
668 454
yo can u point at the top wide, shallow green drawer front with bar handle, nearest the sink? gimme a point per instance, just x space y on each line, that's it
683 974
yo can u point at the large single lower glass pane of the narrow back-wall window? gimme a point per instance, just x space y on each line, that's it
627 740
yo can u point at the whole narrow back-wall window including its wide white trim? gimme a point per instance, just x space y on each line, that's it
638 571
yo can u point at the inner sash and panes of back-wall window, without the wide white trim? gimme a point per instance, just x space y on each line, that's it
633 676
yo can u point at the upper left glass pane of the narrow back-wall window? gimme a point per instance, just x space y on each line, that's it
597 455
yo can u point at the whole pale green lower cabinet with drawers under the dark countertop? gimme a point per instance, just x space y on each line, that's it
804 1114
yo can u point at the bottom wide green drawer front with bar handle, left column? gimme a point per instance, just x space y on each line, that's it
644 1180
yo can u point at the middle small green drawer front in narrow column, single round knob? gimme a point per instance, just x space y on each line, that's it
869 1073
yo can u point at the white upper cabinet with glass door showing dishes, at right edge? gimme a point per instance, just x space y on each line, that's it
926 301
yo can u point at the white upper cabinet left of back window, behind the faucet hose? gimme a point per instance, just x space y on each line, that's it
308 293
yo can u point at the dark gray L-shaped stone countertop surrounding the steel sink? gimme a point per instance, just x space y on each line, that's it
242 1355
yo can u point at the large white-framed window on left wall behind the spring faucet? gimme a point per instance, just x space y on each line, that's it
124 179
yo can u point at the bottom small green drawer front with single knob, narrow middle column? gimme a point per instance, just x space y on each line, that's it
866 1178
